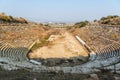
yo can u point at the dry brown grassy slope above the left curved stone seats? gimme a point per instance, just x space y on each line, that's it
21 34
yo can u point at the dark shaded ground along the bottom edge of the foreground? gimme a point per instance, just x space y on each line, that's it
27 75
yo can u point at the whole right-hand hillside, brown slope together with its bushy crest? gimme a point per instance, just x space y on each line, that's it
98 34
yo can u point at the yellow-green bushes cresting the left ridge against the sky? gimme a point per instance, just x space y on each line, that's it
10 19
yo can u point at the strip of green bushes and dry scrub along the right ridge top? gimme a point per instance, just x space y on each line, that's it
111 20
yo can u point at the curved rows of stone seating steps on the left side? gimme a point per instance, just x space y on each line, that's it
15 53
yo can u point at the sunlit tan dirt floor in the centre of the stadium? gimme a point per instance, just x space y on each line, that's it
63 45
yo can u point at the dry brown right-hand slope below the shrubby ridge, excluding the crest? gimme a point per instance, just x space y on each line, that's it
97 36
